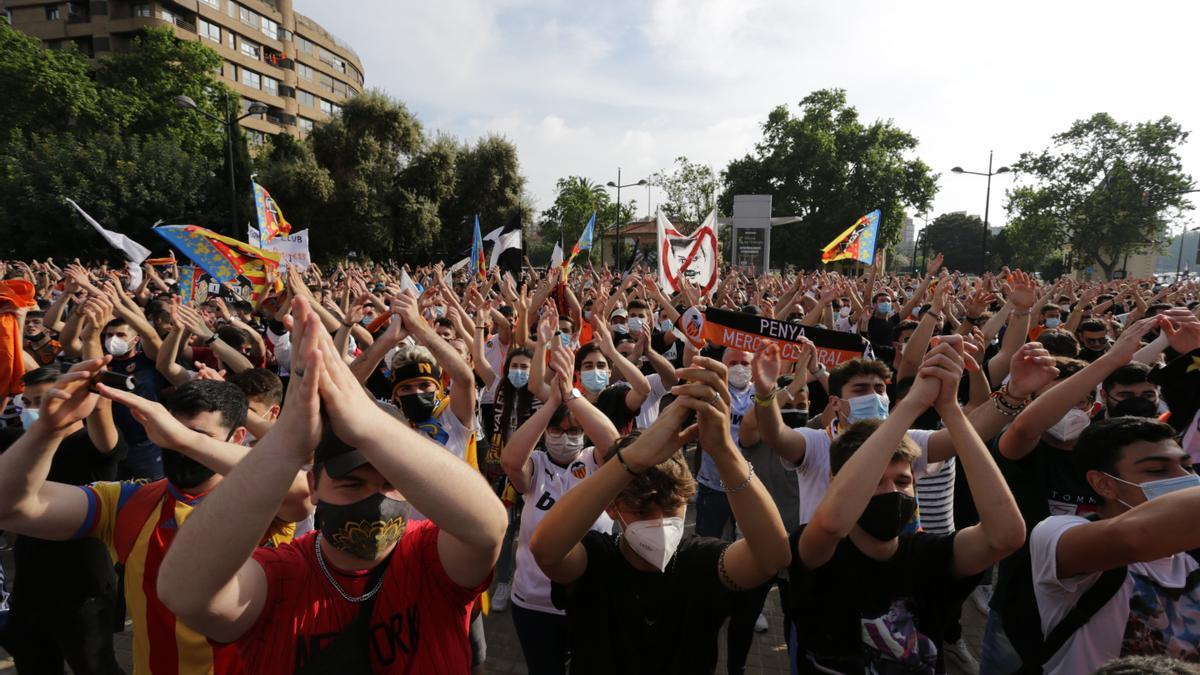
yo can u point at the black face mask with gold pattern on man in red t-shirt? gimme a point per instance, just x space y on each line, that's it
365 529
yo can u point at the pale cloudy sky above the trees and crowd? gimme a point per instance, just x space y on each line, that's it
585 88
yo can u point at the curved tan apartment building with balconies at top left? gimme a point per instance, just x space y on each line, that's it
273 56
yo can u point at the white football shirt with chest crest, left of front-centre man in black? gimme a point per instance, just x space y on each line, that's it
531 587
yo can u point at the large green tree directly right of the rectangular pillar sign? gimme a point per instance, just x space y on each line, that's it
829 168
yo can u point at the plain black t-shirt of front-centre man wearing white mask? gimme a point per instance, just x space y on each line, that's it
622 620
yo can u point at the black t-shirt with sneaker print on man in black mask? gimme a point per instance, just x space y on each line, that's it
899 601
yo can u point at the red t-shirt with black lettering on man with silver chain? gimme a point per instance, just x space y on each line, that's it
418 625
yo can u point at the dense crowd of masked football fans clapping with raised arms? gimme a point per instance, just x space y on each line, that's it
347 475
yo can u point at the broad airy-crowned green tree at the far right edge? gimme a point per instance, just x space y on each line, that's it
1085 193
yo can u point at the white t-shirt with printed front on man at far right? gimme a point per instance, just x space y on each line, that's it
1144 618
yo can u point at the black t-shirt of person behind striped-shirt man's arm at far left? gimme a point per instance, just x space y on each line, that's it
77 569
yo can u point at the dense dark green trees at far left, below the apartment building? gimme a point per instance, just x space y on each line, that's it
112 139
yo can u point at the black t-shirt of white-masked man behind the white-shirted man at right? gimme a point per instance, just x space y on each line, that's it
1045 483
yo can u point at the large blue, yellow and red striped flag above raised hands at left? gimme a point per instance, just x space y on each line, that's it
224 258
